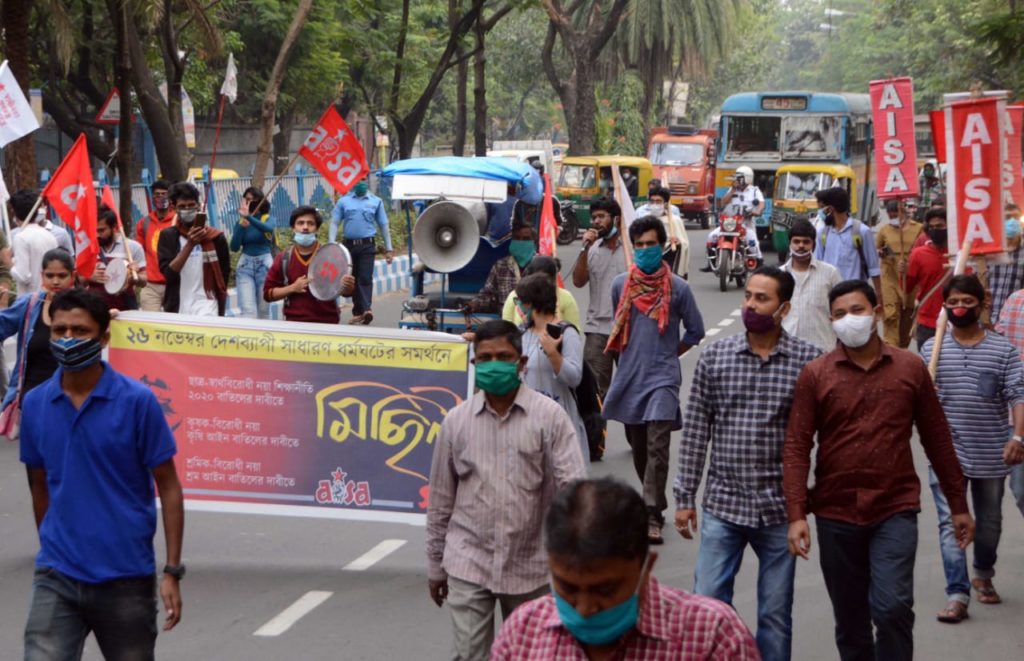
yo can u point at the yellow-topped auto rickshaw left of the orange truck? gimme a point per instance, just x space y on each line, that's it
584 180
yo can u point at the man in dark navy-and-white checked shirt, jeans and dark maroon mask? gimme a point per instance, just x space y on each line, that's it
740 404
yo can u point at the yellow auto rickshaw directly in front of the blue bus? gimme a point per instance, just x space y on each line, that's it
794 197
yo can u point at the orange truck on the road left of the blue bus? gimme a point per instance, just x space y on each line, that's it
684 158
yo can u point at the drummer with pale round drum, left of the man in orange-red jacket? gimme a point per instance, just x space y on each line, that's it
118 272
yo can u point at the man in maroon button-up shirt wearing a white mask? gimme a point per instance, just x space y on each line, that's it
863 401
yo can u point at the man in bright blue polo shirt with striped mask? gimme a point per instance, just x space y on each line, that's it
94 443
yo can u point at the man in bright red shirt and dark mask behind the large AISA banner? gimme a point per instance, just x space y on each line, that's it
926 272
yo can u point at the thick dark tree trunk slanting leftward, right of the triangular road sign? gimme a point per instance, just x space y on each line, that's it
173 162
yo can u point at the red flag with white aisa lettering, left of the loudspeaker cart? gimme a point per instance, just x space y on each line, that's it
335 152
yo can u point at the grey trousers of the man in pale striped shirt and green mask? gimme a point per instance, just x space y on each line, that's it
473 609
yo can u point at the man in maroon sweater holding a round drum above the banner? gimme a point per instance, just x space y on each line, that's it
311 276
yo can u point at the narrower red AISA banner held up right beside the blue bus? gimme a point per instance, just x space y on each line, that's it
897 156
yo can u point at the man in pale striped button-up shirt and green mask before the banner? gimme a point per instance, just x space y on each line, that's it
498 462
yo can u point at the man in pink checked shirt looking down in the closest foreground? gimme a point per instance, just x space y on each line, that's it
606 604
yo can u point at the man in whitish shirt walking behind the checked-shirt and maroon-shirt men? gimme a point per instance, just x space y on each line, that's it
809 315
